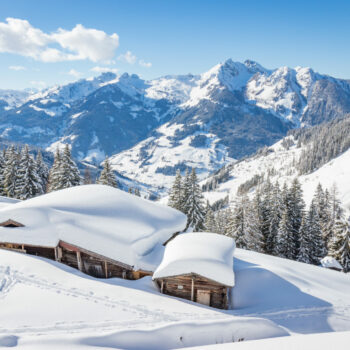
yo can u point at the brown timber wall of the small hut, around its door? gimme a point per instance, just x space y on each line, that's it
181 286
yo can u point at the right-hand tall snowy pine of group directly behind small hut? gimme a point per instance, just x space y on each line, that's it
194 203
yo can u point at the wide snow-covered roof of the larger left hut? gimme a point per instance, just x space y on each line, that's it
98 218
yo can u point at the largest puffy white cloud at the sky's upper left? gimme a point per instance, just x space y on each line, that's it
20 37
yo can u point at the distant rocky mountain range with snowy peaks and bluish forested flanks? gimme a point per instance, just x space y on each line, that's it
151 128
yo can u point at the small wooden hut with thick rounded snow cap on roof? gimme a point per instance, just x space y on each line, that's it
198 267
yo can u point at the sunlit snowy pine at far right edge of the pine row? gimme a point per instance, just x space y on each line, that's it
340 243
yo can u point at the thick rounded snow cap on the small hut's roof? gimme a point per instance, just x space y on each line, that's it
209 255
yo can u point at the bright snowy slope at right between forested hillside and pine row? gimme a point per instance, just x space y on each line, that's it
283 161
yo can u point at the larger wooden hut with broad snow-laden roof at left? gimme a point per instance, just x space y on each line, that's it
102 231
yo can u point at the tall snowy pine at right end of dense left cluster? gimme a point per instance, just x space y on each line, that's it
68 173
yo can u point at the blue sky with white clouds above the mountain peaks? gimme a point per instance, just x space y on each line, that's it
154 38
